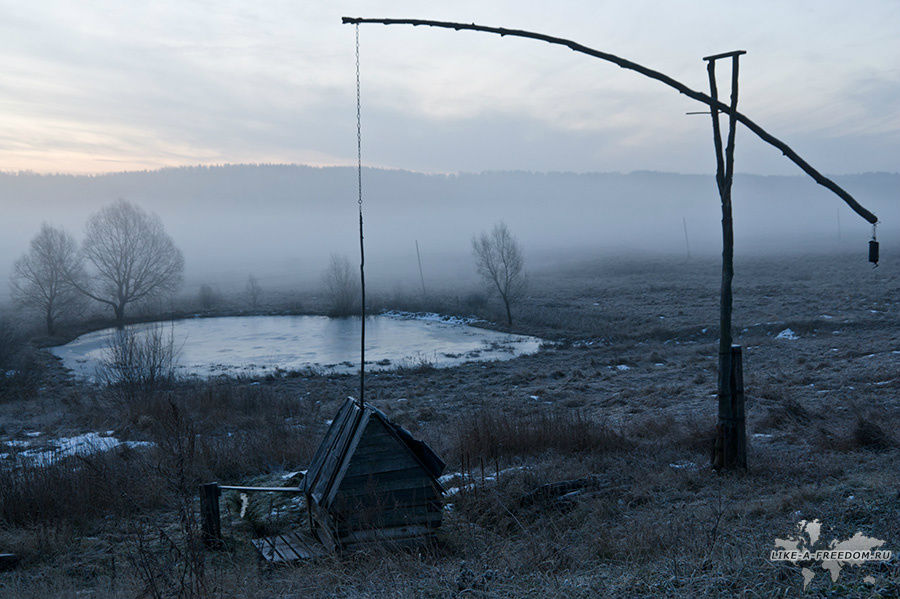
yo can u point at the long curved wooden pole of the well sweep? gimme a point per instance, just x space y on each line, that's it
632 66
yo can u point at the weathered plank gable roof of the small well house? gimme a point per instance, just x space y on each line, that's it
332 458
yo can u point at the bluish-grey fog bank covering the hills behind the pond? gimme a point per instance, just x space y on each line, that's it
281 222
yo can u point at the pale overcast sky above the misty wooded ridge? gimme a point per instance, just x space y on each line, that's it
108 86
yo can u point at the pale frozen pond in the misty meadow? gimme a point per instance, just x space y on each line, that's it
255 345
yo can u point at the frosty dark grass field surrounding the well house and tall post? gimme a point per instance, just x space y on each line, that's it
625 394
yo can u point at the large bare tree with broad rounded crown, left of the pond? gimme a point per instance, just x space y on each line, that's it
133 257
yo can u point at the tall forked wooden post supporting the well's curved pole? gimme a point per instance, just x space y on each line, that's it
730 441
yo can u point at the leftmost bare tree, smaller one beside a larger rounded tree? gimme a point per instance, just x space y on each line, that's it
42 278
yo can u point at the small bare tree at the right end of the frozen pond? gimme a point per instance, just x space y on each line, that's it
499 261
